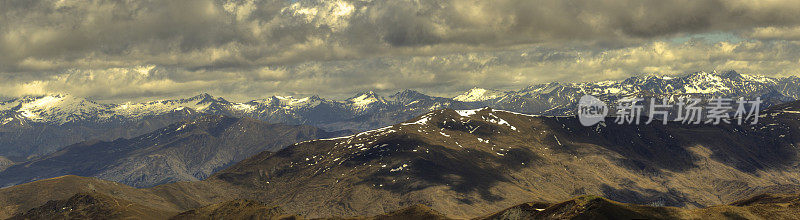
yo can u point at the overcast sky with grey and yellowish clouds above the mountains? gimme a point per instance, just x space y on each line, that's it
245 49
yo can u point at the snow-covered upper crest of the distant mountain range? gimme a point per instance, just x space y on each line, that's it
48 108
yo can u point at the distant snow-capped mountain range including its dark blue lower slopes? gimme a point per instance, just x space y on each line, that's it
68 119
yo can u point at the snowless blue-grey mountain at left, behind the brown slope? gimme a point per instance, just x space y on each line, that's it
186 151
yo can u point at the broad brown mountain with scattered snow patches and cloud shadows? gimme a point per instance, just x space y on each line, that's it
469 163
